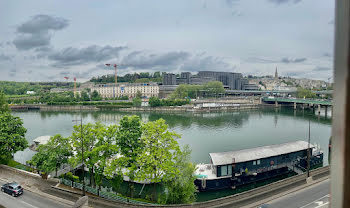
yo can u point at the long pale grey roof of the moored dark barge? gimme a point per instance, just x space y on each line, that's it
225 158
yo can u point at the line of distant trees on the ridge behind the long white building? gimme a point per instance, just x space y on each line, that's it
142 77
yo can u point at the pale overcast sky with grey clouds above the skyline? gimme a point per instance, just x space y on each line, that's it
44 40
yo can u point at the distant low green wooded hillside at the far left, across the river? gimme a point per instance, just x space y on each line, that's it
21 88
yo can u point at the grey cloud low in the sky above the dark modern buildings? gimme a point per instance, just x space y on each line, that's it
142 60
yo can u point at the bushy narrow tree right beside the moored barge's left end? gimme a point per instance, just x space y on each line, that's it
181 189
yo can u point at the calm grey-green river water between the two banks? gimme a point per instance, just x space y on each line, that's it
203 132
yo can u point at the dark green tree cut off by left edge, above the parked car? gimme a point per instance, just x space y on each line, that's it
12 135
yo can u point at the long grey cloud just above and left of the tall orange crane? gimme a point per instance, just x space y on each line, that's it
76 56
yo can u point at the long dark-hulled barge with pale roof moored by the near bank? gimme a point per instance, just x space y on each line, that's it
237 168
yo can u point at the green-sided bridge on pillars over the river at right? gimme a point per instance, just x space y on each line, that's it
311 103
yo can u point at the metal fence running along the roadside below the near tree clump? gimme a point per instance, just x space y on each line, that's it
103 194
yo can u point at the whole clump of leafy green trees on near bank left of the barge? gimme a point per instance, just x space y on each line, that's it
140 151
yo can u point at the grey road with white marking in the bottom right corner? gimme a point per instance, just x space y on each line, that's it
316 196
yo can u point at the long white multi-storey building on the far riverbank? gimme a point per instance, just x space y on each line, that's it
127 89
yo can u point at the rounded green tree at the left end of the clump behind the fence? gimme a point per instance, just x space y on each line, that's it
52 155
